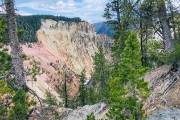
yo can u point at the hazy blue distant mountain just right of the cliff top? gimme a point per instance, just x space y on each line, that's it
103 28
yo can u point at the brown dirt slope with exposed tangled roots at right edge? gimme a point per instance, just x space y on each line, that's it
164 83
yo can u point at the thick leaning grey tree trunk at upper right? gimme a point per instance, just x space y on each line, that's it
169 45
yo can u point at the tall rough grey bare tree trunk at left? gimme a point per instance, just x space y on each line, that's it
16 52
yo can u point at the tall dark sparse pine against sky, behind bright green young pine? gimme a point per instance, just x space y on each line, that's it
120 14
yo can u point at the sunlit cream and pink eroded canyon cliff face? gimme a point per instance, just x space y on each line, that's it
64 47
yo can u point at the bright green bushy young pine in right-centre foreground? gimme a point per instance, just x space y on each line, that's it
127 86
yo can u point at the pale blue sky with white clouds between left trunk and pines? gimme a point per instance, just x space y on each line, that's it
89 10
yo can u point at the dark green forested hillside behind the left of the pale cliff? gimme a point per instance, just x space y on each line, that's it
31 24
